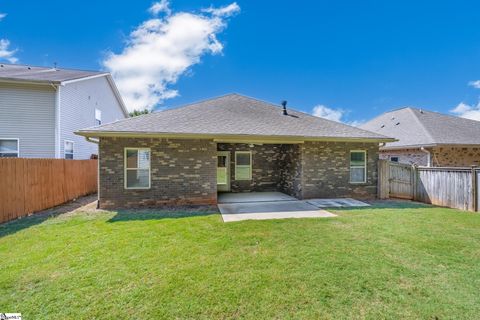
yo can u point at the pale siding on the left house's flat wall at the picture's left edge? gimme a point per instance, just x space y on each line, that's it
27 113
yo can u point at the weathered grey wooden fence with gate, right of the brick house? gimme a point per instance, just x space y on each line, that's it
449 187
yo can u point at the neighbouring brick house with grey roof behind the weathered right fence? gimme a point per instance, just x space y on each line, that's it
427 138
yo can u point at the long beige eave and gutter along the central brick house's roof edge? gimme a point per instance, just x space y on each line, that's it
230 138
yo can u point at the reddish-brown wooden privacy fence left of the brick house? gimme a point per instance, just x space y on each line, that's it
30 185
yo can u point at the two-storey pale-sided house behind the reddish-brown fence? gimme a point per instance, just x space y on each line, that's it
41 108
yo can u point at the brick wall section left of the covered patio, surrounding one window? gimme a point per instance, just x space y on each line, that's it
183 172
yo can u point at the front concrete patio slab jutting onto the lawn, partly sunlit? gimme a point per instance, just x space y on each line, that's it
270 210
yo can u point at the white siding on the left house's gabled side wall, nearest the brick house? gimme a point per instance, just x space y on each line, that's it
79 102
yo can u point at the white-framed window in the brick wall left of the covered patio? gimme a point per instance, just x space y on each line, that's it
137 168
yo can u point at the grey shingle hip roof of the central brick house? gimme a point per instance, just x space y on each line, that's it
233 114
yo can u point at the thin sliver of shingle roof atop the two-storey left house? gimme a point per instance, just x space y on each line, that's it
17 72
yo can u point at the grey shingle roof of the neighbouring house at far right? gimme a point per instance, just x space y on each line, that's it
415 127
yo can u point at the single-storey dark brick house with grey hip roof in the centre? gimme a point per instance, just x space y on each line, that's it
231 144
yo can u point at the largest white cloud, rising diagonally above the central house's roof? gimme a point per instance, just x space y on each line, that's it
160 50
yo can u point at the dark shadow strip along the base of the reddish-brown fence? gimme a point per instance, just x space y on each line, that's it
37 218
